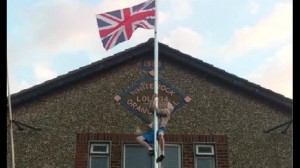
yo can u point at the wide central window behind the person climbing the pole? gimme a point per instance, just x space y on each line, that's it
136 155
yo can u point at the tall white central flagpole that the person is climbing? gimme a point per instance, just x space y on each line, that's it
155 87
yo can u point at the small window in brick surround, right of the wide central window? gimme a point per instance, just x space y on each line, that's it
205 156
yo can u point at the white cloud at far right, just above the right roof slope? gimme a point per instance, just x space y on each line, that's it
276 73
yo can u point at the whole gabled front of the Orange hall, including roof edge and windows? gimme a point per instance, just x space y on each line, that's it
90 117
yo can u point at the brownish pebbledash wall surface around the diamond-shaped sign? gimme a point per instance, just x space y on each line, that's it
71 116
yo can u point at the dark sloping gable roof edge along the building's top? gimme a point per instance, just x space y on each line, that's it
164 51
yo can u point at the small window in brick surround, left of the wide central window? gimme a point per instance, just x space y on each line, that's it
99 155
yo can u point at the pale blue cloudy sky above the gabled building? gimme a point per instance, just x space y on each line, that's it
251 39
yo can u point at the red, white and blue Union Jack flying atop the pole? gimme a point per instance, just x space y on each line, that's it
117 26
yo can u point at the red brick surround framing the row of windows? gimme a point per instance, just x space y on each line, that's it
81 156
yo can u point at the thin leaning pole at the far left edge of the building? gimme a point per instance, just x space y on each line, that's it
11 123
